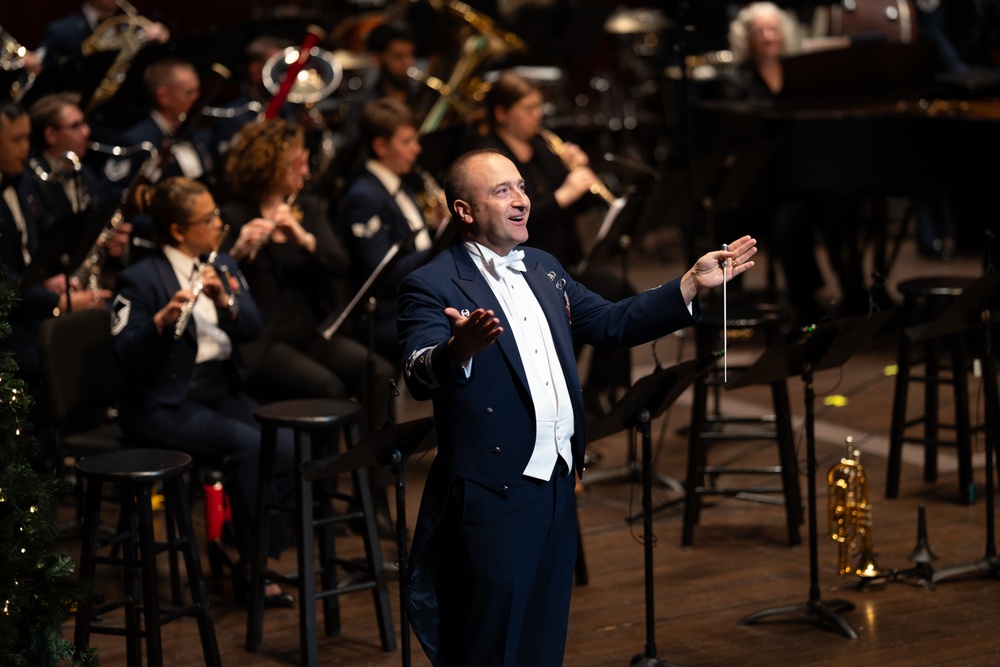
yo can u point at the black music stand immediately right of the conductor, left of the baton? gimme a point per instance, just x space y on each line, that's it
645 400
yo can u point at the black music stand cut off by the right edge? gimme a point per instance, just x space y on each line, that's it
973 308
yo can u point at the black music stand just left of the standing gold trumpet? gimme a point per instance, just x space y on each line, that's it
819 347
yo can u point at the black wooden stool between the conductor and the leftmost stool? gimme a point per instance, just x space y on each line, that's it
314 516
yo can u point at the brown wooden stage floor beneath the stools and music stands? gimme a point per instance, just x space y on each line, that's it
740 561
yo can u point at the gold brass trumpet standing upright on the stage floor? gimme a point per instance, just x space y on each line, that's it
850 516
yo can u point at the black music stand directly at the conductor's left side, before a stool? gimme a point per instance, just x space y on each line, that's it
389 446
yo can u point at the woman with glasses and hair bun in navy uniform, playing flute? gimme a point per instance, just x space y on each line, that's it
183 383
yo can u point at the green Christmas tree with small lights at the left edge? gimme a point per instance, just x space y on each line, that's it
37 587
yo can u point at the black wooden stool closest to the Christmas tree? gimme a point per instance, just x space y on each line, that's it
135 472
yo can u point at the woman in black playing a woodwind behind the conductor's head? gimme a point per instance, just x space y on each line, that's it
558 195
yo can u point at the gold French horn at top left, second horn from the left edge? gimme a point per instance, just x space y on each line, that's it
124 33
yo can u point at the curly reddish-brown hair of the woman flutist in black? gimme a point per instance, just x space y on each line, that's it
257 159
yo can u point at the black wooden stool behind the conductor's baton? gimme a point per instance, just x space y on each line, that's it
707 429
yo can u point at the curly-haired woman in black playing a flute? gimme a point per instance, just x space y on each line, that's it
289 254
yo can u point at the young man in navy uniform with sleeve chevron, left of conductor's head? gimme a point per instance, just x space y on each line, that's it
379 210
